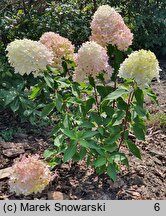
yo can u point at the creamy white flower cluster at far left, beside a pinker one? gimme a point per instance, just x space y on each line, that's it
28 56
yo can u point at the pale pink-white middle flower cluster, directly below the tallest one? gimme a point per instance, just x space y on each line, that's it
91 60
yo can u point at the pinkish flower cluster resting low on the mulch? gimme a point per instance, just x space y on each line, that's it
29 175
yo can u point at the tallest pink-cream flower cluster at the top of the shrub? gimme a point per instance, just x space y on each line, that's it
108 27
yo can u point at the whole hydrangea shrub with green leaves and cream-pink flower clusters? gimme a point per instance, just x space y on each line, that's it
94 117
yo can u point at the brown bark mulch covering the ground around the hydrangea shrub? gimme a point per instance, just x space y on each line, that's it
144 179
